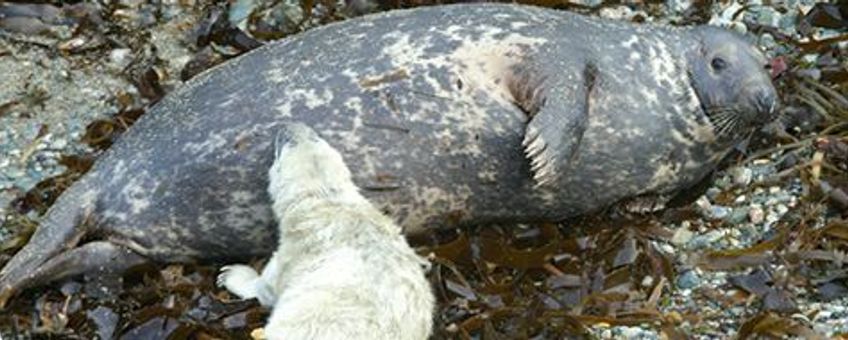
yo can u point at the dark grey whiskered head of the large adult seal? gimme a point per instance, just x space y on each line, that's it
731 81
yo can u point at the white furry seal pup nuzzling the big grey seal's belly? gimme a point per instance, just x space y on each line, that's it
342 269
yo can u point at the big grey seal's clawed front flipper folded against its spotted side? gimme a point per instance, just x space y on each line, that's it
558 112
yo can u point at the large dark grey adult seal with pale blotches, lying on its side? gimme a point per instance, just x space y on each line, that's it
446 115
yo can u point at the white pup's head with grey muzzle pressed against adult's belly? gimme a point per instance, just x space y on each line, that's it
306 166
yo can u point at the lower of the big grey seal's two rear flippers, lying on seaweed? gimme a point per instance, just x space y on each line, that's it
98 257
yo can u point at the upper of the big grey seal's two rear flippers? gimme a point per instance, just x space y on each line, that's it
58 231
